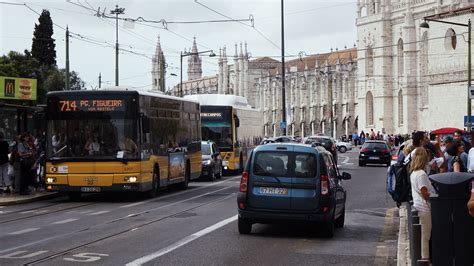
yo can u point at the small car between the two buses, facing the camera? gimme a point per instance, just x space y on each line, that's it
211 160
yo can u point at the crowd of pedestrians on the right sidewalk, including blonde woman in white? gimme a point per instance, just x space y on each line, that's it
426 157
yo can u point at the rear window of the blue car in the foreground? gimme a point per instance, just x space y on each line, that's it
285 164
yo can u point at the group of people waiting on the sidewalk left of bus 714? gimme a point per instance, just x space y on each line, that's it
19 162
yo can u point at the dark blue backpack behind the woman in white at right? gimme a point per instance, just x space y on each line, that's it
398 182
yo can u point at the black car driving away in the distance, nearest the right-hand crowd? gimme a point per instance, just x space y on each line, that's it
374 151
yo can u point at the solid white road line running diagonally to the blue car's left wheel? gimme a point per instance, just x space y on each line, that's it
181 242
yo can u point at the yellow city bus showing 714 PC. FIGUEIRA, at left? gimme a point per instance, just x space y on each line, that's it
120 140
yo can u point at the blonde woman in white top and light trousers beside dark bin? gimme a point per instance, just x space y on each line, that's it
421 190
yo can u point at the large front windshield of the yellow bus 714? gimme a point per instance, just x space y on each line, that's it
92 139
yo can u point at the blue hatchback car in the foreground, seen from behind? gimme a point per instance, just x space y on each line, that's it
291 182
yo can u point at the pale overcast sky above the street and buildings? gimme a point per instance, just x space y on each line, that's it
312 26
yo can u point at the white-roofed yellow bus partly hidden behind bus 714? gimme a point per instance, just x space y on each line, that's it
232 124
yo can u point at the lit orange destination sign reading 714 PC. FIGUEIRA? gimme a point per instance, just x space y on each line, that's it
90 105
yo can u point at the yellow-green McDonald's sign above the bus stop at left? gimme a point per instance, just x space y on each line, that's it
18 88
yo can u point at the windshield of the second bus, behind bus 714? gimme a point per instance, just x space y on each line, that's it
218 131
